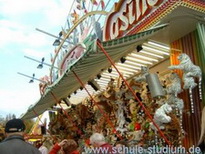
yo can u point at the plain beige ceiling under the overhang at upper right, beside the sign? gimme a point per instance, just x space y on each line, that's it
182 21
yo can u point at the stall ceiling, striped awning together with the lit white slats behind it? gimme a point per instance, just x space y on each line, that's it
94 61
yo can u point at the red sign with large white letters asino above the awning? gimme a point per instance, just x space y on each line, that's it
127 13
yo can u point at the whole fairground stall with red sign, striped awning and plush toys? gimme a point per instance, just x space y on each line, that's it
131 69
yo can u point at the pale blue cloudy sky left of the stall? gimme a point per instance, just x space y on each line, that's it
18 38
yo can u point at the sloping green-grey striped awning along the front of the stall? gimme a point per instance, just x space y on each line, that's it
87 67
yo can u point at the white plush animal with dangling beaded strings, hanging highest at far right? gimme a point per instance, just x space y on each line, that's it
190 71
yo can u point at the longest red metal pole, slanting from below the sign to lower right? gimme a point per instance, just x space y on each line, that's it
141 104
